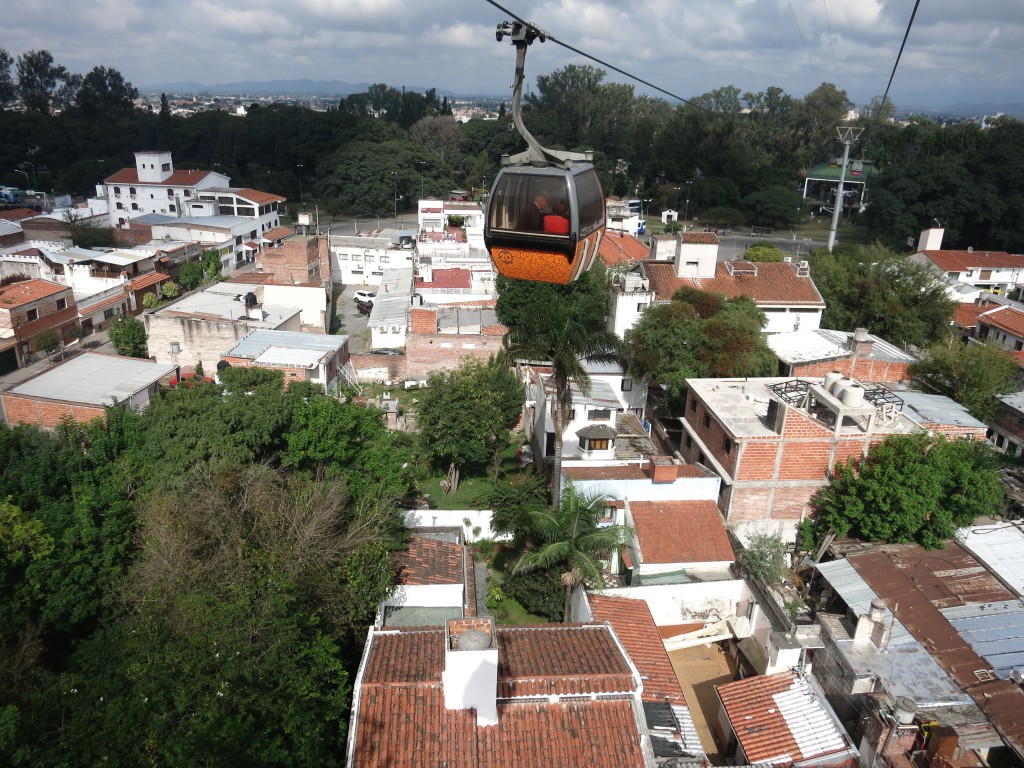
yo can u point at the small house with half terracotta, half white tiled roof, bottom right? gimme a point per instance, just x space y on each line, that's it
782 719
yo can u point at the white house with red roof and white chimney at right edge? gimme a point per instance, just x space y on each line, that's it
971 270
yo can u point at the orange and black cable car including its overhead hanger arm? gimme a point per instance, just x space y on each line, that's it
546 211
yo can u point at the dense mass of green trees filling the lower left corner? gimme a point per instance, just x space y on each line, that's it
172 594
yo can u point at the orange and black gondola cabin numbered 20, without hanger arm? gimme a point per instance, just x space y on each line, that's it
545 225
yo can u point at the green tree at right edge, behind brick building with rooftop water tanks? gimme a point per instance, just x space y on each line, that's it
971 374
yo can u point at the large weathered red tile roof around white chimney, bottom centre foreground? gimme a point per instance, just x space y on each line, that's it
402 719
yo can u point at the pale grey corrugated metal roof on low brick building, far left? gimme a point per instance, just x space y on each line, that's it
96 379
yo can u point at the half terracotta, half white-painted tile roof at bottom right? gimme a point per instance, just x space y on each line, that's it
765 710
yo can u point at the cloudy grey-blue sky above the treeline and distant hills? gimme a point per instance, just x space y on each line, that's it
959 51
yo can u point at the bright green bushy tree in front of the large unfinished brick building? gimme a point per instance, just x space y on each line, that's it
911 489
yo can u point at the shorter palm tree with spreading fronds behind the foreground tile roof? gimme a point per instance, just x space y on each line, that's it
574 541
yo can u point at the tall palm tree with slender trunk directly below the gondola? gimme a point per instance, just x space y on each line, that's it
566 332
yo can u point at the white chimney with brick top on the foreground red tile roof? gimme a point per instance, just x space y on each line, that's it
471 677
